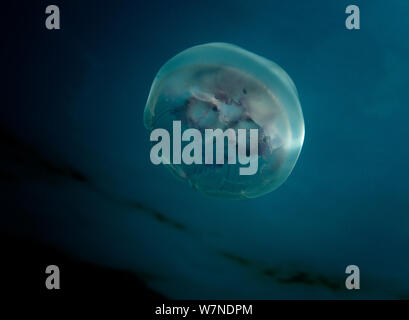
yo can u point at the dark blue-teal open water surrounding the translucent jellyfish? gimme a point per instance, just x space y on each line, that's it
75 172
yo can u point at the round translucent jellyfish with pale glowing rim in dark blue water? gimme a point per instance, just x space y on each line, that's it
222 86
